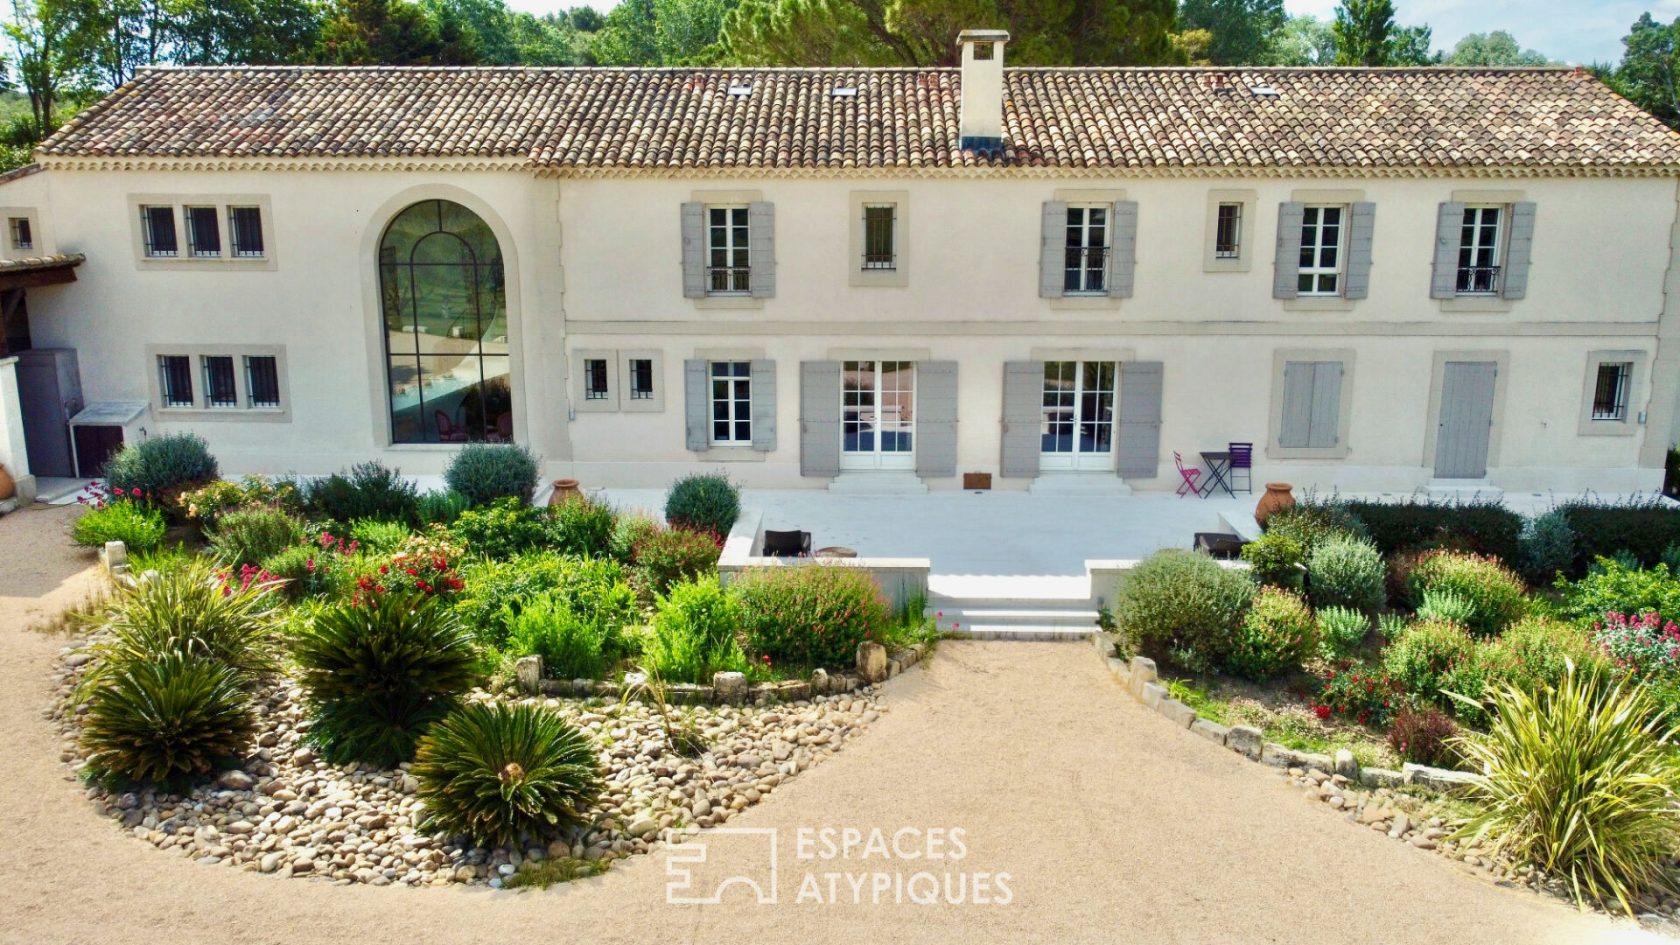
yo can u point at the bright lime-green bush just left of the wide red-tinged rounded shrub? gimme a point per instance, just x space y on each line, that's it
695 633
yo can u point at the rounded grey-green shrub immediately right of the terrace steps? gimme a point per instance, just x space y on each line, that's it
1182 606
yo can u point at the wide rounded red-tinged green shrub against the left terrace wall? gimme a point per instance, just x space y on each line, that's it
811 615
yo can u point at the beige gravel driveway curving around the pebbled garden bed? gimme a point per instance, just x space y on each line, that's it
1111 826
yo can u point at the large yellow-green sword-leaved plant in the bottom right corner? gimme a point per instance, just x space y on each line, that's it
1580 781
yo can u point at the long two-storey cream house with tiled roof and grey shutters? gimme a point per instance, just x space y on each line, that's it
874 278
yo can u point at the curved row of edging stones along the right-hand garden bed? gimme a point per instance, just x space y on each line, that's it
1140 680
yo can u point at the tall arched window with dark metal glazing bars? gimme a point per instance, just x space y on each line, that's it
446 327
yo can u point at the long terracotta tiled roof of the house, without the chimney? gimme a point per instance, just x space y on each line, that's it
898 120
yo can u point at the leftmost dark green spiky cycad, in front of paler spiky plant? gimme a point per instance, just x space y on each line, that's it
167 721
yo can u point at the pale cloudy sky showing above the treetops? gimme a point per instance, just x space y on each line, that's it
1572 31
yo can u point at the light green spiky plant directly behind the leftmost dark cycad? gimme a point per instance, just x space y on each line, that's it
191 610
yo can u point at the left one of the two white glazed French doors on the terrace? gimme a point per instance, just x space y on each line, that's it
878 428
